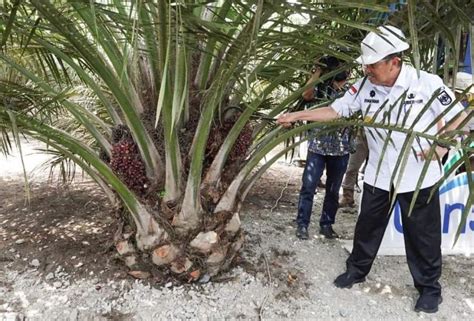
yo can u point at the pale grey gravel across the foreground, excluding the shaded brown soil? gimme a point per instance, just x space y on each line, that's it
279 277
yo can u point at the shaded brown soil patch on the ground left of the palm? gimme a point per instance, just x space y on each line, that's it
63 229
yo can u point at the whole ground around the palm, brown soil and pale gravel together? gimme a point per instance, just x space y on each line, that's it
57 262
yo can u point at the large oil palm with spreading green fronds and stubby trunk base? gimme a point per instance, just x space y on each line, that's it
168 105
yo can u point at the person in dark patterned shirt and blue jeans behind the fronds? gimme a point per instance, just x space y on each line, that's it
328 151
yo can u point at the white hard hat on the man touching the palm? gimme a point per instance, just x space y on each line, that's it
376 46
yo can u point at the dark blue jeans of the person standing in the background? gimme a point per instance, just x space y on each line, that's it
315 164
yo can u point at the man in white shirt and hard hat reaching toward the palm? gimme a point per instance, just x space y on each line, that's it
394 93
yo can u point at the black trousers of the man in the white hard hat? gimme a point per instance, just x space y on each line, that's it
421 230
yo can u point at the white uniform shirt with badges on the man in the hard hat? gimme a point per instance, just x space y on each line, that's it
400 104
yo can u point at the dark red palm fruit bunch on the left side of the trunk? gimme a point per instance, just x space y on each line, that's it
128 165
